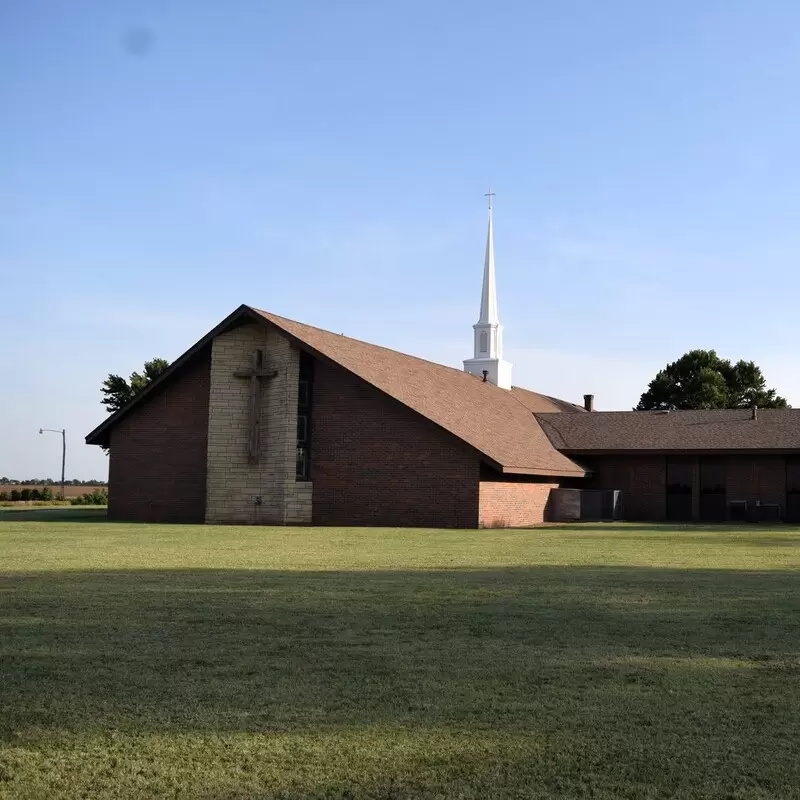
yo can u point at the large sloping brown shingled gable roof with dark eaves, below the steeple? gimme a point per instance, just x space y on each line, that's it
498 423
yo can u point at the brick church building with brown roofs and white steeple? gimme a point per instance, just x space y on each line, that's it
270 421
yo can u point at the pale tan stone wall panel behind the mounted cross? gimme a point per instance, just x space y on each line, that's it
233 482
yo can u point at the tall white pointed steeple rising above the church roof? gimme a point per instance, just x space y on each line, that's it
488 356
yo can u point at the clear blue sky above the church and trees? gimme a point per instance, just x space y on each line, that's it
161 163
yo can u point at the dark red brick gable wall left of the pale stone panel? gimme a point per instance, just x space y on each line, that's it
157 469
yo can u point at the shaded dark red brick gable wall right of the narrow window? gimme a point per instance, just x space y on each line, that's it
376 462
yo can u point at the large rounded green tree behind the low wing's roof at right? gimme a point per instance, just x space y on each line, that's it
701 379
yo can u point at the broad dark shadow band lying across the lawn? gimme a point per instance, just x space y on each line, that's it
262 650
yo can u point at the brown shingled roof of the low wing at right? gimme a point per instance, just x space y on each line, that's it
713 430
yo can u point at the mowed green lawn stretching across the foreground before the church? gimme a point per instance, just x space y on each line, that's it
143 661
